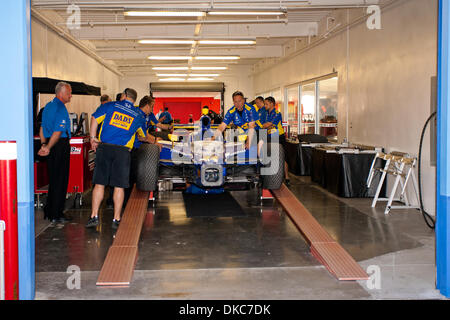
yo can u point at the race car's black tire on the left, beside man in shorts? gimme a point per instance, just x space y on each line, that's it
147 167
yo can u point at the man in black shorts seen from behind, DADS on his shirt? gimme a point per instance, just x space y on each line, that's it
121 121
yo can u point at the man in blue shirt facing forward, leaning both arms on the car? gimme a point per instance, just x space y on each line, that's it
243 115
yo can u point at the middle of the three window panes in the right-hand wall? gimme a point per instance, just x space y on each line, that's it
308 109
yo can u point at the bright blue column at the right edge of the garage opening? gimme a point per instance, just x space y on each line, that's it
443 153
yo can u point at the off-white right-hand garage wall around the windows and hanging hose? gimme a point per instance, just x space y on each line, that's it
389 73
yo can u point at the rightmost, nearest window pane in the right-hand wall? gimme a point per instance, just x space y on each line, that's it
328 99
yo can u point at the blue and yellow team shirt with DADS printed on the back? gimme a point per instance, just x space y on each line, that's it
121 121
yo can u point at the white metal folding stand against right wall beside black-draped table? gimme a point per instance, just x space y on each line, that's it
401 166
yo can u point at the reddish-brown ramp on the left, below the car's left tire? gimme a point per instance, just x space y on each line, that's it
121 259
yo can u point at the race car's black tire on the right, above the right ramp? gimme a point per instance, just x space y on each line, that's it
274 180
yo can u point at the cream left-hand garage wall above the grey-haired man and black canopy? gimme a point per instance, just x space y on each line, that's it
54 57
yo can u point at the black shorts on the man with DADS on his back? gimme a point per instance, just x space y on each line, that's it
112 166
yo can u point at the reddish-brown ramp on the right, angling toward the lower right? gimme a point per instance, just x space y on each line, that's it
323 247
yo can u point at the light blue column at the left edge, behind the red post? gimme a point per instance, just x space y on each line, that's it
17 125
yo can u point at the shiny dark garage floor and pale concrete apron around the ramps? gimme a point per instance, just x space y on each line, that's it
252 252
